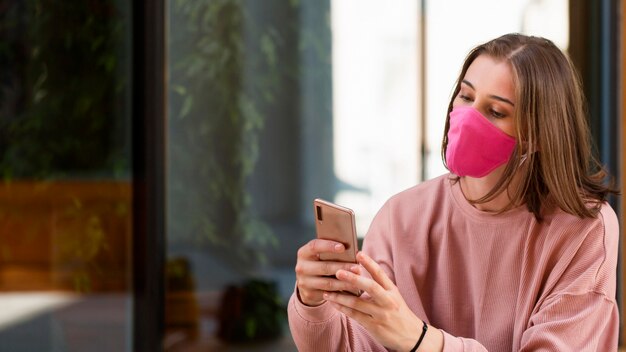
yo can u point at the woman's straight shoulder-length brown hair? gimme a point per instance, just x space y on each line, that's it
552 132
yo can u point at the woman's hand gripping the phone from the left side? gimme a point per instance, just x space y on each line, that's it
315 276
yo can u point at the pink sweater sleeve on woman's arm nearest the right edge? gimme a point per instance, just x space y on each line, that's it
581 313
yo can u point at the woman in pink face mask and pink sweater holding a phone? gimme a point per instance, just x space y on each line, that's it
514 250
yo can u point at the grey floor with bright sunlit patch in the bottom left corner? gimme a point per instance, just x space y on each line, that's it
58 322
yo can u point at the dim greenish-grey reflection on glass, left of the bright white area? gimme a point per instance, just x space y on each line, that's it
250 98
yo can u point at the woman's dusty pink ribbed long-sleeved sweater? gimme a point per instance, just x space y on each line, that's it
490 282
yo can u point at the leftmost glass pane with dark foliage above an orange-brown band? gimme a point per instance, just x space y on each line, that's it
65 194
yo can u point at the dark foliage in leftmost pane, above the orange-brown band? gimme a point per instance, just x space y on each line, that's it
63 90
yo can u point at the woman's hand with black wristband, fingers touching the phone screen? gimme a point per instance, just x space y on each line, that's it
382 311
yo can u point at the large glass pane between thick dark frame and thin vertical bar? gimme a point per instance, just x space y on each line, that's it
263 119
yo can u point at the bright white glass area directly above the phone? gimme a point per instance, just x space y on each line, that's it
375 102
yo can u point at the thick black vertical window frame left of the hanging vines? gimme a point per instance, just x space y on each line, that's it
148 128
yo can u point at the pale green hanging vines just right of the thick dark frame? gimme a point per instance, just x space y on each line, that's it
220 87
